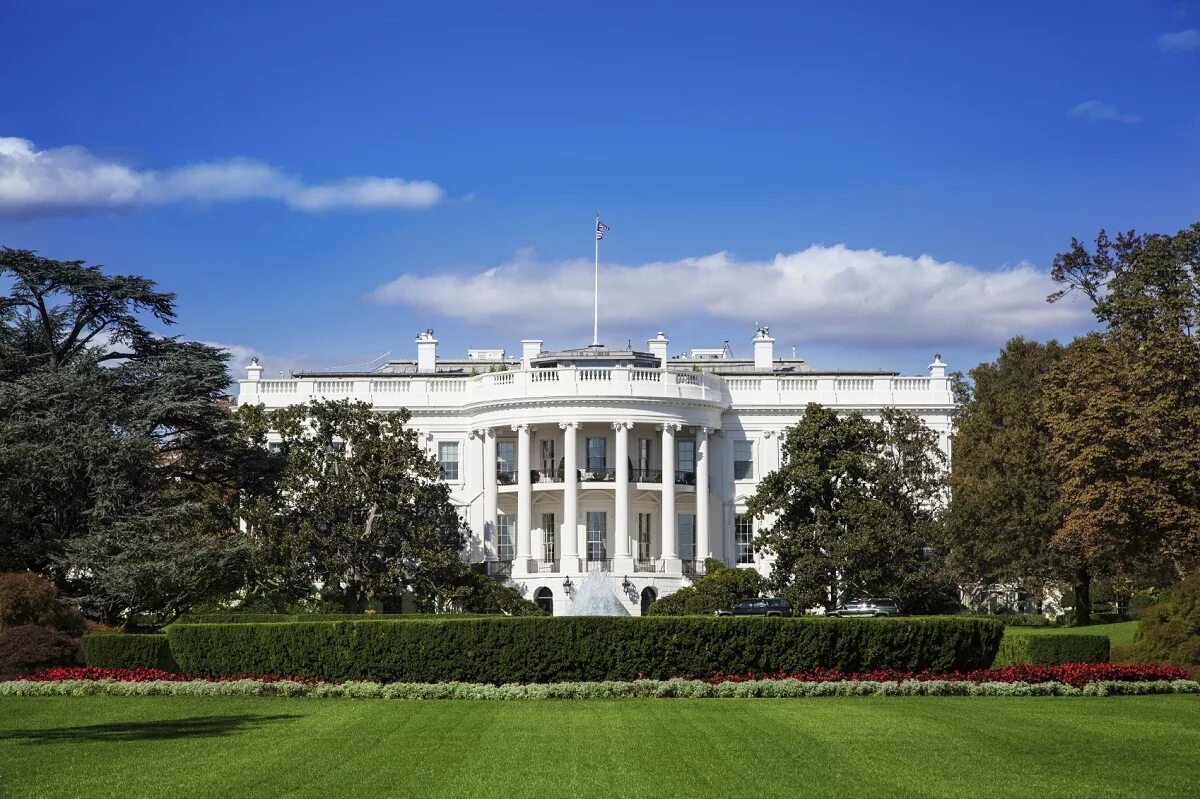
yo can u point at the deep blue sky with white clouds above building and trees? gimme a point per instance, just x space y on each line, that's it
875 182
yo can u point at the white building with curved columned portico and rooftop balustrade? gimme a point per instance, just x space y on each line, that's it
623 465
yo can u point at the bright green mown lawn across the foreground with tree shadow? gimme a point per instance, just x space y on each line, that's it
911 747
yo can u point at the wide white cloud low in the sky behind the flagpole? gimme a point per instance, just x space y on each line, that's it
821 295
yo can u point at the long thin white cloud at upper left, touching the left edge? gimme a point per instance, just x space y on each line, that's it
41 182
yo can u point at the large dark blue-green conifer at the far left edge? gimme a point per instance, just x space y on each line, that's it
119 454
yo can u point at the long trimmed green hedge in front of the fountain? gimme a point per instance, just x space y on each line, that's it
541 650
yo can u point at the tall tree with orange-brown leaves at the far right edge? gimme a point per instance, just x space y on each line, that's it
1124 410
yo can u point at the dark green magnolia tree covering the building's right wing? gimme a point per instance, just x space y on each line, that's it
854 510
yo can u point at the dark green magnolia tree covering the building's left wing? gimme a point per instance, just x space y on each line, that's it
358 507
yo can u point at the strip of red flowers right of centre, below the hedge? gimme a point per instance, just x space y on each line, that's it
1078 675
